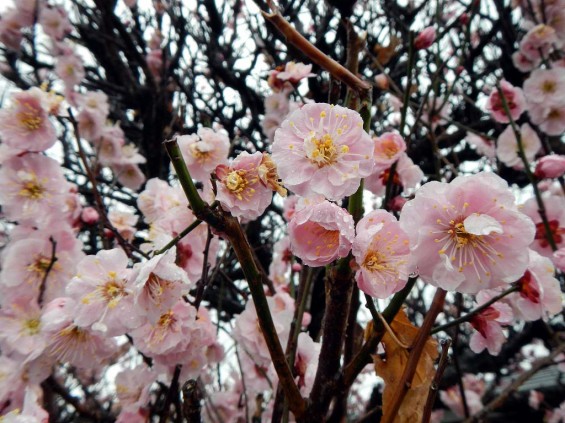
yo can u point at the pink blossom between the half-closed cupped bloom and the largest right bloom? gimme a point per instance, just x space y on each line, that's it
381 250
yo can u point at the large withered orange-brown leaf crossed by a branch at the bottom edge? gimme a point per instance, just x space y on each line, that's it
392 365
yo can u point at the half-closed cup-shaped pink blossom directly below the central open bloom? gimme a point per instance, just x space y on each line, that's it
321 233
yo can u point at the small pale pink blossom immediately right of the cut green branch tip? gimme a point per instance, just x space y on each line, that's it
204 151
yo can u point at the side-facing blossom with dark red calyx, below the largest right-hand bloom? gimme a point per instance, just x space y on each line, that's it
488 323
